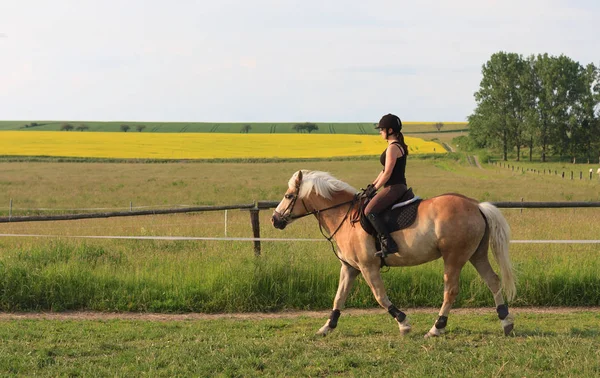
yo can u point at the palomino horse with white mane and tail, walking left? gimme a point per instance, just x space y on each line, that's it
451 226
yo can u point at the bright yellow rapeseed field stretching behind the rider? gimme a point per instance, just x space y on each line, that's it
135 145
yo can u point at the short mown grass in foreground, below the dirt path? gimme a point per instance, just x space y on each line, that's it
365 345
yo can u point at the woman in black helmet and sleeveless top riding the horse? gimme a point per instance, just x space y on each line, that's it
392 179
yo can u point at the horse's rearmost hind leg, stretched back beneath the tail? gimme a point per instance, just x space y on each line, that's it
481 263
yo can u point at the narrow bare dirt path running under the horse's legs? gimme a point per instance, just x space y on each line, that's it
90 315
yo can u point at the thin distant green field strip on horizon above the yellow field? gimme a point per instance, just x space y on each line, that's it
220 127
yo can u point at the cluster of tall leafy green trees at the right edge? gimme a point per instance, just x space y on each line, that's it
545 103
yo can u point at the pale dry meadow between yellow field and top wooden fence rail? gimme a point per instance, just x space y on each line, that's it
115 185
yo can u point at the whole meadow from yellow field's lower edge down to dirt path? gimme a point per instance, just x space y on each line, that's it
168 276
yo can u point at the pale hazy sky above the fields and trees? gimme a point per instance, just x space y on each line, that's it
270 61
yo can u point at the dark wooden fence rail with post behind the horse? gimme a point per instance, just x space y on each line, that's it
254 209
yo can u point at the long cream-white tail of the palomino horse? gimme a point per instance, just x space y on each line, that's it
499 239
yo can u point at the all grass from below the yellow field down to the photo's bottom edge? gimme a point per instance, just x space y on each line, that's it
62 273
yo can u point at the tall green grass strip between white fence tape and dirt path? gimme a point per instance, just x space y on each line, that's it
160 276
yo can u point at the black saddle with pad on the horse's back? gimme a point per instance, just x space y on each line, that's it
398 217
